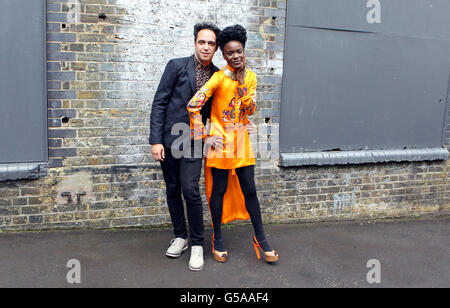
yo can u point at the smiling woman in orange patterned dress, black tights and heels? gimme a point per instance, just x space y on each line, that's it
230 162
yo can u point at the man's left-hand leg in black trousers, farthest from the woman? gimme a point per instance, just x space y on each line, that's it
171 173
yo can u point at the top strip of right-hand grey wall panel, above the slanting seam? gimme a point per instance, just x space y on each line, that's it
417 18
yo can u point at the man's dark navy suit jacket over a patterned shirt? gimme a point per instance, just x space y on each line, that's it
176 89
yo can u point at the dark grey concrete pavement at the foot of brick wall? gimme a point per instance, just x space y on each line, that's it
412 253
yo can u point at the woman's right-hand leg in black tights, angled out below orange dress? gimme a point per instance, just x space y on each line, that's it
246 177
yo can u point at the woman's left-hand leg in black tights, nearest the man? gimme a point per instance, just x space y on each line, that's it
220 183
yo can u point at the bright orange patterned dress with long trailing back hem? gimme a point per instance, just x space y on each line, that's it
229 117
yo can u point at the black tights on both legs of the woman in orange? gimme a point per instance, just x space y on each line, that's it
246 177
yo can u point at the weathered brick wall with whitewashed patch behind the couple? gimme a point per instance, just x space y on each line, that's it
105 59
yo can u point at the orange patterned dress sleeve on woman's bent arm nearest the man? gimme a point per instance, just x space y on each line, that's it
196 104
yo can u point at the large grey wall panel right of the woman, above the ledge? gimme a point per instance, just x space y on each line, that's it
367 90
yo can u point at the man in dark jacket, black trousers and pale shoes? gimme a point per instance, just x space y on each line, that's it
182 78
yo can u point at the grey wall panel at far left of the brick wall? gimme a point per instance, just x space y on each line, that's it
23 102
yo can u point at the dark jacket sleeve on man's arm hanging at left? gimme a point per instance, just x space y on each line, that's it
161 101
